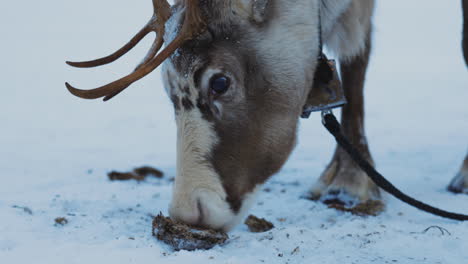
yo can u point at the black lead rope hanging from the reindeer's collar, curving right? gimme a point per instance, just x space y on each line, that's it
333 126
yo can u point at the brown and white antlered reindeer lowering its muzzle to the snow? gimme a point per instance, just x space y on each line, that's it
239 73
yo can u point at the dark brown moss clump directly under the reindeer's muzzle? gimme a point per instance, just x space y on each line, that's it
182 237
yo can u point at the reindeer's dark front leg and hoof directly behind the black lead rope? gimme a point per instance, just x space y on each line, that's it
343 184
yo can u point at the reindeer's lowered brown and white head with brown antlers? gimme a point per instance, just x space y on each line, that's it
238 73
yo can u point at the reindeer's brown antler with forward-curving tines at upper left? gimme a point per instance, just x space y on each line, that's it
192 26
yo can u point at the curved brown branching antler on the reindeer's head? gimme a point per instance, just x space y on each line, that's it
192 26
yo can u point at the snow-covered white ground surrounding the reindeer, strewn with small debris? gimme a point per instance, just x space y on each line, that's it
55 149
